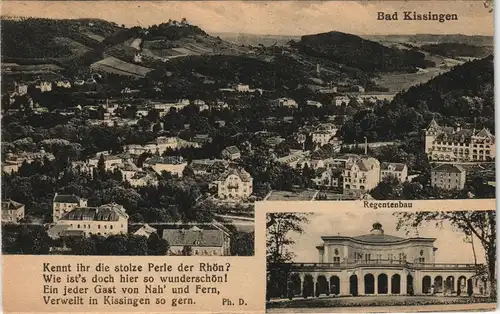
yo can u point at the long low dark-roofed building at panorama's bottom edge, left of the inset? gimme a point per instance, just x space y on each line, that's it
196 241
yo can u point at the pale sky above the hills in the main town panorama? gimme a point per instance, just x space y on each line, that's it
270 17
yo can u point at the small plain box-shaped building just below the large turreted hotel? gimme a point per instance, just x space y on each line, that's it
448 177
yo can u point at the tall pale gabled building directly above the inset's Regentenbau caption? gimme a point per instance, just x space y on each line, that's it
361 174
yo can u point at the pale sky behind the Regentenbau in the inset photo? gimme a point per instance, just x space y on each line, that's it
450 244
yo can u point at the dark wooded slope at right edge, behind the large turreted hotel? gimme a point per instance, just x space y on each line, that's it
459 96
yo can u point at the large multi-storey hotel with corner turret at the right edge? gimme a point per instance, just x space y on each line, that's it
458 145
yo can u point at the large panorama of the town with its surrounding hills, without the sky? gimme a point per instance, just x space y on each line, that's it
159 140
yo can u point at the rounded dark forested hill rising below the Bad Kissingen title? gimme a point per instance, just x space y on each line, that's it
364 54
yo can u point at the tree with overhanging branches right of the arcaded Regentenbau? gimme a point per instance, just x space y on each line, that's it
481 224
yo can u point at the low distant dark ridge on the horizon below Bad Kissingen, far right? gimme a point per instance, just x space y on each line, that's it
454 50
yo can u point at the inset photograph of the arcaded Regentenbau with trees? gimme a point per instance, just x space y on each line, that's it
385 261
